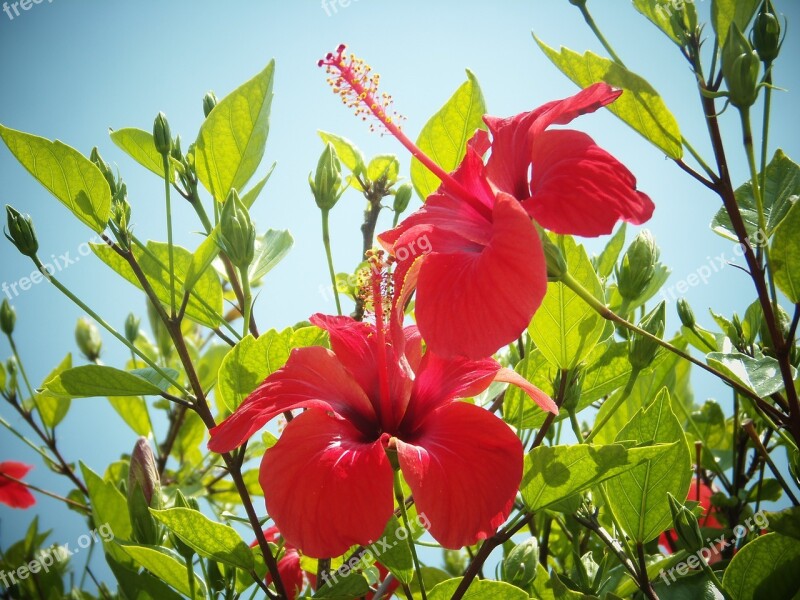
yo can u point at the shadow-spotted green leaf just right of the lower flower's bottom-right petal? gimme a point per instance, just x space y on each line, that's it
552 473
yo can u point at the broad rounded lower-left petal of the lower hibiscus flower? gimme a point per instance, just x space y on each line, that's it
326 486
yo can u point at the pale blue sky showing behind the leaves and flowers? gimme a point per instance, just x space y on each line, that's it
70 70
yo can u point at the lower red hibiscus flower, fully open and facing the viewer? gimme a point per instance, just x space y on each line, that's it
328 482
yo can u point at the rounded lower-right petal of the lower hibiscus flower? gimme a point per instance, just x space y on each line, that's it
464 470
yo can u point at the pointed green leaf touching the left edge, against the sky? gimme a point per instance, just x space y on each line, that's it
64 172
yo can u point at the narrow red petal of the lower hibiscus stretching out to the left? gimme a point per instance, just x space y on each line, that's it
312 377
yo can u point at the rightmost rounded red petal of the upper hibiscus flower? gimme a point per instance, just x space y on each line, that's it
580 189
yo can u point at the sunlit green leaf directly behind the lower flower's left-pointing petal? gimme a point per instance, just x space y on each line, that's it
249 363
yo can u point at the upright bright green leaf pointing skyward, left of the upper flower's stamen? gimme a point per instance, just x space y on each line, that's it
233 137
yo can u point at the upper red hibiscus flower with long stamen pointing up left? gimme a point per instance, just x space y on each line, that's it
484 268
